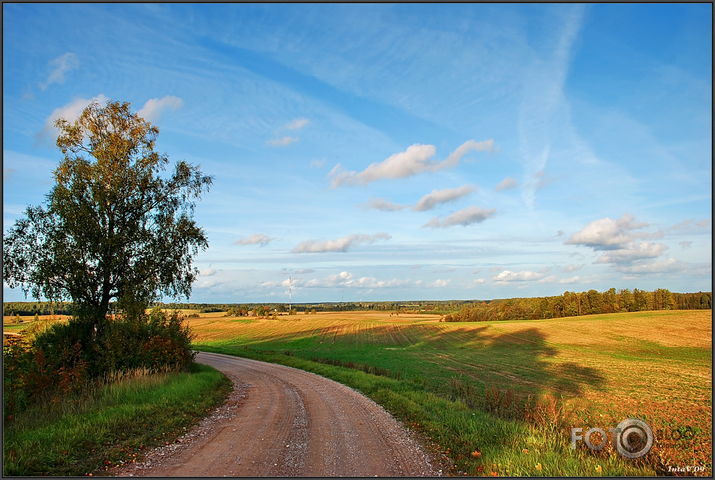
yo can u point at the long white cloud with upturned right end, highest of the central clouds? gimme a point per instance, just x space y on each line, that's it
414 160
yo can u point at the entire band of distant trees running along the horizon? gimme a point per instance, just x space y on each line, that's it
566 305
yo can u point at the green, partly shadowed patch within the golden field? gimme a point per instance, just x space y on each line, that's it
470 362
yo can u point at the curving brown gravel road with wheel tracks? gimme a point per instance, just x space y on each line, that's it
281 421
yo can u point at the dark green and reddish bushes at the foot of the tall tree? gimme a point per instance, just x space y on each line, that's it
67 358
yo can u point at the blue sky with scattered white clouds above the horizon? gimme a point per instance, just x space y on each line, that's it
365 152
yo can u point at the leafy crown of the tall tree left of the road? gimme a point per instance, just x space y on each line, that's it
115 225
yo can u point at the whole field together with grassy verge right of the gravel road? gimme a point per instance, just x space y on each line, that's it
541 377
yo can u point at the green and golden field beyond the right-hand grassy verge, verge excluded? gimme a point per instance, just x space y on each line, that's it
601 368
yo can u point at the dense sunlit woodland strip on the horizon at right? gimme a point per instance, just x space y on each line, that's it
585 303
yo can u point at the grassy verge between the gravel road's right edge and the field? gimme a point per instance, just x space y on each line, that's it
505 447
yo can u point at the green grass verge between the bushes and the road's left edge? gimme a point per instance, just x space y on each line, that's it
121 420
